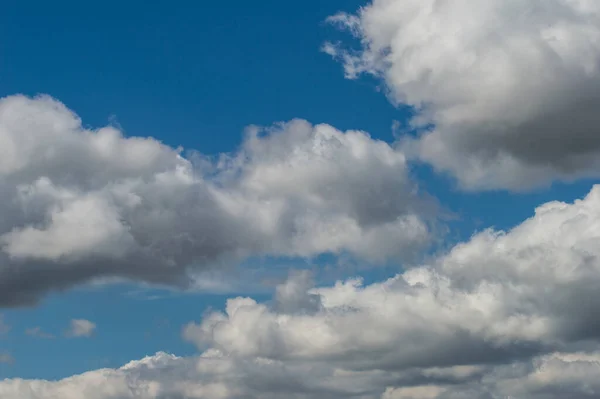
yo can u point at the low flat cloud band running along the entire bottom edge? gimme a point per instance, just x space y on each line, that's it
214 375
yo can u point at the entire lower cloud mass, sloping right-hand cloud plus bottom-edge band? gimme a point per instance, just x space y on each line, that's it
505 314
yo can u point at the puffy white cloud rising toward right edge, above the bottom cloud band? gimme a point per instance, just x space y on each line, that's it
498 296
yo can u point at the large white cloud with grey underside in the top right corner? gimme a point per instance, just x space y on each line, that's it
510 87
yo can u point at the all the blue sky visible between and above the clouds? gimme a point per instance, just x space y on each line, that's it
195 74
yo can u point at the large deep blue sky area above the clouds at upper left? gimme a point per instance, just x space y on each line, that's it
192 75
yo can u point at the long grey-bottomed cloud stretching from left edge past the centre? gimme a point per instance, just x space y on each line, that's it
84 204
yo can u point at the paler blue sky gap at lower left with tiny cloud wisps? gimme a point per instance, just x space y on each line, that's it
129 327
